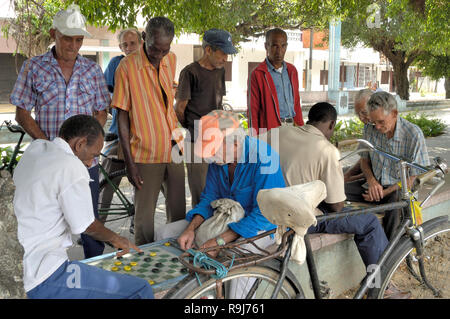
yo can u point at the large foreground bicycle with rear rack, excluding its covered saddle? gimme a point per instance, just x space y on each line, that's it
267 273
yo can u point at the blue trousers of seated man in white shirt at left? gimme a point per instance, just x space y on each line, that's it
76 280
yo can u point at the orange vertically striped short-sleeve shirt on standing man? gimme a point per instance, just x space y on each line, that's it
138 91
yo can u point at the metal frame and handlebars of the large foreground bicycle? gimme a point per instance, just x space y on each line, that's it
407 226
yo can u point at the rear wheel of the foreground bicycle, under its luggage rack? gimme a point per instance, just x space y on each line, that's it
268 272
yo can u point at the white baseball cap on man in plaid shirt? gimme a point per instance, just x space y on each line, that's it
71 22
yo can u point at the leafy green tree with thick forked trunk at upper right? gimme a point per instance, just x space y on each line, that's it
402 30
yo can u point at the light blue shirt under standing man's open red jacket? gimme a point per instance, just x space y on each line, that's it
284 89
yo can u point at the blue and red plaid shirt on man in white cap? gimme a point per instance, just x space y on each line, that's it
41 85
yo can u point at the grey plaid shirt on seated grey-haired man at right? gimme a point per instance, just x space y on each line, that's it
408 142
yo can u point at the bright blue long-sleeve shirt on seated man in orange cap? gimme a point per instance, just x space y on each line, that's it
258 168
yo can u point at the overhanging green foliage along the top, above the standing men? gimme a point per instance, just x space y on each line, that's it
242 18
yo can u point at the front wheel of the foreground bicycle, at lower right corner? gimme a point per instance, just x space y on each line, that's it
402 267
